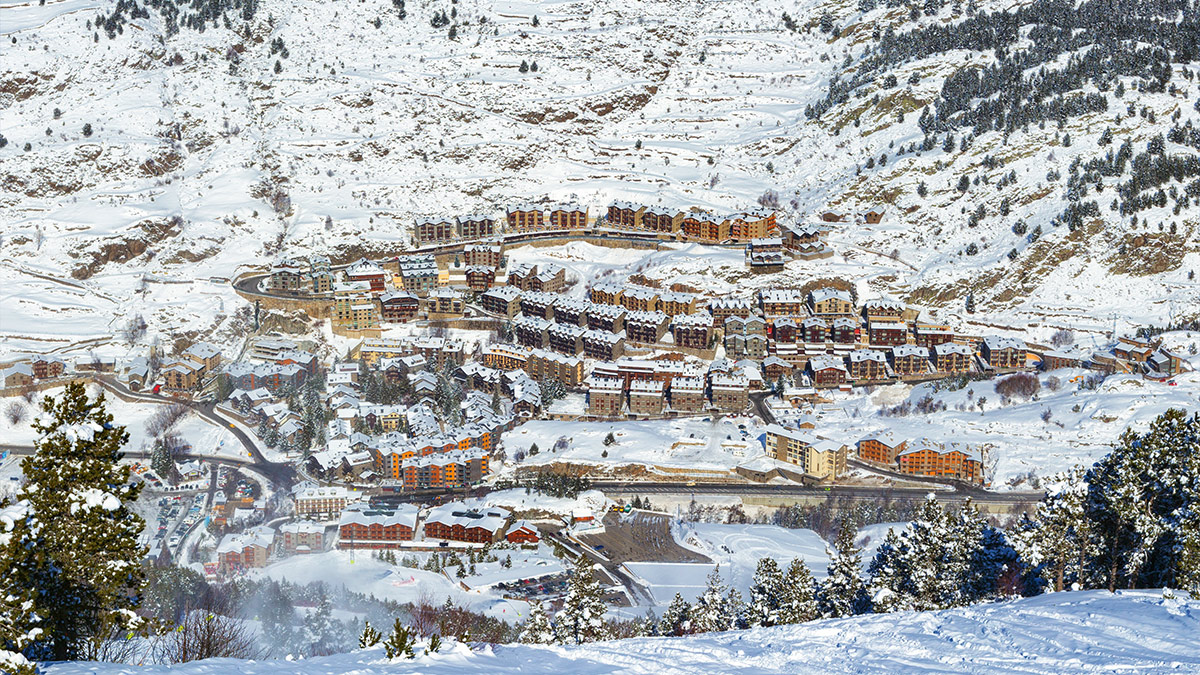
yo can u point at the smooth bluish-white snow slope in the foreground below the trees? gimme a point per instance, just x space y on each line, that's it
1087 632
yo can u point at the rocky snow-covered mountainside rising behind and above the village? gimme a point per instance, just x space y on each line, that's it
183 154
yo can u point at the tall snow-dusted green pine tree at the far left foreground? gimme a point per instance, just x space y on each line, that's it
87 570
